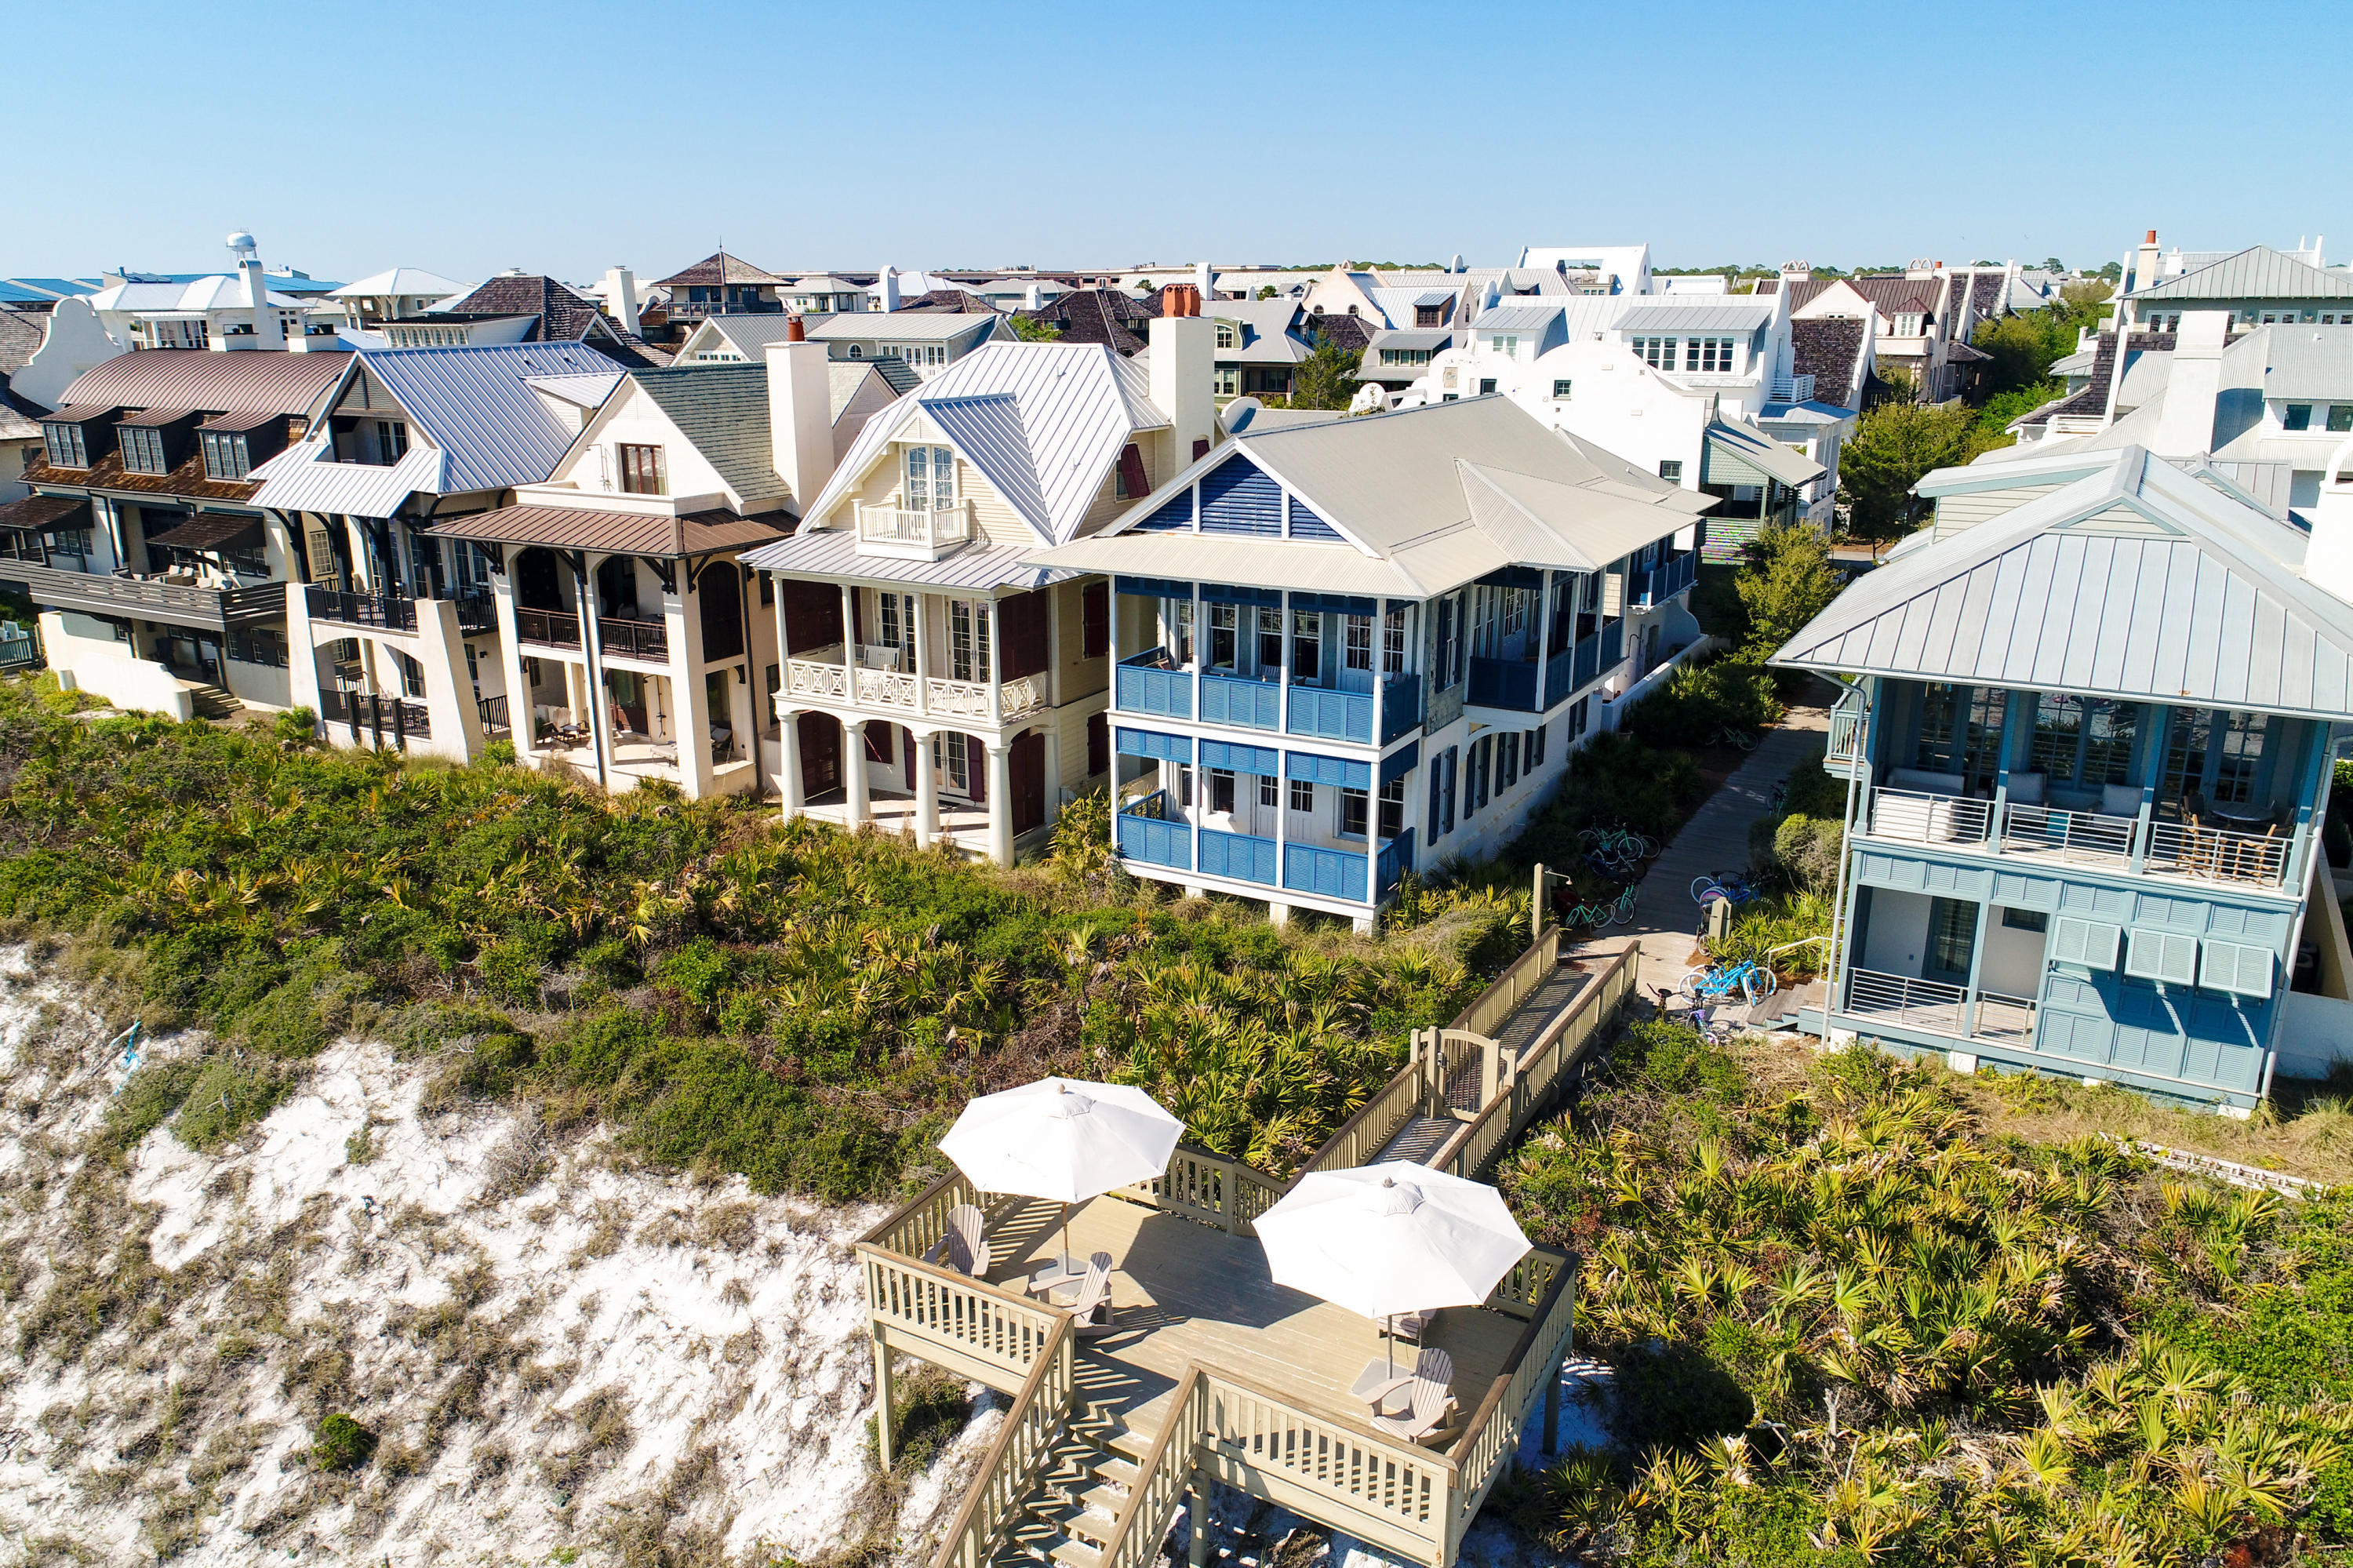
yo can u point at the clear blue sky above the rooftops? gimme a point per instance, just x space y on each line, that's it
571 138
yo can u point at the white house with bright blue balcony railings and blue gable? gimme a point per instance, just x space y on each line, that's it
1359 646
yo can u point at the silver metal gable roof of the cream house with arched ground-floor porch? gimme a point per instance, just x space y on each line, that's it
1041 420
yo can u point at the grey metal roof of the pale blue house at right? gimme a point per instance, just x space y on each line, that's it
2192 597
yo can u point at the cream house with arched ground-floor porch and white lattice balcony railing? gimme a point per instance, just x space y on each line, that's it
935 675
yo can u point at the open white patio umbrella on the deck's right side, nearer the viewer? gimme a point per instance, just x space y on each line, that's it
1392 1240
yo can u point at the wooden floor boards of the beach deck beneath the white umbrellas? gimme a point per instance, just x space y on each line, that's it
1185 1291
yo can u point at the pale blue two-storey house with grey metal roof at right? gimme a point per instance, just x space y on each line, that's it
2088 731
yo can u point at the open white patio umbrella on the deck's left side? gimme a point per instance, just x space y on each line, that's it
1065 1141
